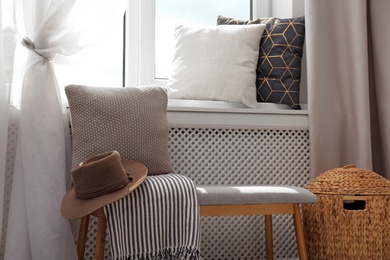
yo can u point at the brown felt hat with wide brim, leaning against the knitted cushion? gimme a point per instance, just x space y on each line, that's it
100 181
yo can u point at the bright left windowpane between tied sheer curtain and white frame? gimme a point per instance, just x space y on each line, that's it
101 62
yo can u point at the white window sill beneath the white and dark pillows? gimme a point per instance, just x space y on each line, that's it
220 114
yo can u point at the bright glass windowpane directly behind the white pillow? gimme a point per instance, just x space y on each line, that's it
198 12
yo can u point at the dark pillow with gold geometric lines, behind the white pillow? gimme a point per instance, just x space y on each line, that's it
279 65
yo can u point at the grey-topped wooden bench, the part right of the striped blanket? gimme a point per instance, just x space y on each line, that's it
226 200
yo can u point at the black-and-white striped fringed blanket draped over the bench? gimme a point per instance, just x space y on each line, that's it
159 220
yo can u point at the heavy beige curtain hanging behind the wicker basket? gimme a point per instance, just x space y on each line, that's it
348 66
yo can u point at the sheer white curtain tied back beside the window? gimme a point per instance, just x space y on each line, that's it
48 31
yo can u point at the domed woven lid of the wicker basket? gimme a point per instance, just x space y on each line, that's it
349 180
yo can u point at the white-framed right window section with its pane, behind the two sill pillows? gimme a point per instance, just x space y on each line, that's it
149 31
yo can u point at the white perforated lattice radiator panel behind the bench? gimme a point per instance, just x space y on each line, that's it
239 156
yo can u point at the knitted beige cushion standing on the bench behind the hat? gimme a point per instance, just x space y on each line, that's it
132 121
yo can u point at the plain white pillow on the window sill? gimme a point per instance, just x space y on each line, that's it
216 63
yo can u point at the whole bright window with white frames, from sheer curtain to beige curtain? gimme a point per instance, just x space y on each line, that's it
139 52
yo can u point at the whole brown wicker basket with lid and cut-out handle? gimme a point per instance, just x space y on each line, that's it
351 219
